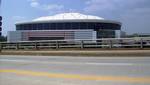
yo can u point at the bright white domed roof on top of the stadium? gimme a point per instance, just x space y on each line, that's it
68 16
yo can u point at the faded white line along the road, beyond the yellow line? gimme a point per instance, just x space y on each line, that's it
70 63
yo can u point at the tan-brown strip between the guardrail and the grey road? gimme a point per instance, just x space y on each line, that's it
73 52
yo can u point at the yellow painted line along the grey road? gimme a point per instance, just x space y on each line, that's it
79 77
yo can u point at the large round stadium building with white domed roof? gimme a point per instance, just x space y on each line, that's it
65 26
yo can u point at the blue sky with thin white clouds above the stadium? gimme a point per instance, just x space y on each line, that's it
133 14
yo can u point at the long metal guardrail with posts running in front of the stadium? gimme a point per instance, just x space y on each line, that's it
85 43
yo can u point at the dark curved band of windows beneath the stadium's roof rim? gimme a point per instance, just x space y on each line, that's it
63 26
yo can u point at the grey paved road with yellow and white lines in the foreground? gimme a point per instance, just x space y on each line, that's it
60 70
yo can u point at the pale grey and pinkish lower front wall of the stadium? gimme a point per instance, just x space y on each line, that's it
14 36
